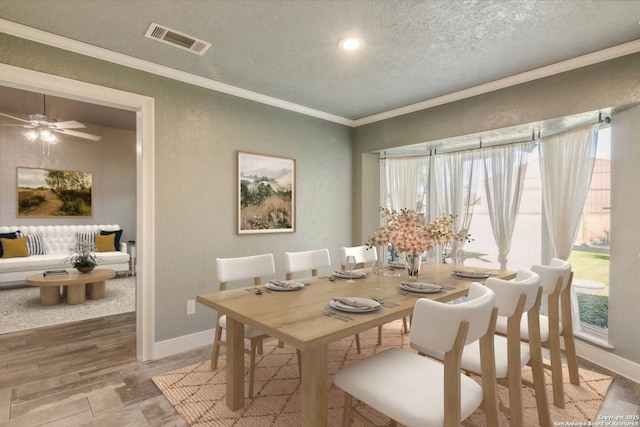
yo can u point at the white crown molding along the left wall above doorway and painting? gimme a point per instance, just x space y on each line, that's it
39 36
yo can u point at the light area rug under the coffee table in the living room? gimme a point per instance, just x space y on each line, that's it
20 308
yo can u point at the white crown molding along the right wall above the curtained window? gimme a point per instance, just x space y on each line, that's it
538 73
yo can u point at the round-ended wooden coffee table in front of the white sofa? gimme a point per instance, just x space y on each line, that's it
76 286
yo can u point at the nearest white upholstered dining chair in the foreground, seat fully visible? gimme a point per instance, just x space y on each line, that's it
418 391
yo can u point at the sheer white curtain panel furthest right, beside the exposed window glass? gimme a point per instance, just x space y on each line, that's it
566 165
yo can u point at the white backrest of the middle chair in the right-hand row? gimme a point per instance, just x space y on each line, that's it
508 291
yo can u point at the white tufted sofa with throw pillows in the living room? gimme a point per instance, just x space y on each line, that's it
60 240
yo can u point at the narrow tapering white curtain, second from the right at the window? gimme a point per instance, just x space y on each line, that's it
504 169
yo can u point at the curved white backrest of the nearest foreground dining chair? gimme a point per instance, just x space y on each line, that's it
430 332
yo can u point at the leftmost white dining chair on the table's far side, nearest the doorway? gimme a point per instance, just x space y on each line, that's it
237 270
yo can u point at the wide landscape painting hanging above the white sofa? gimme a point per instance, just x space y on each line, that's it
54 193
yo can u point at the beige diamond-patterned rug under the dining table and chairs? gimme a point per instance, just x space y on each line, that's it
198 393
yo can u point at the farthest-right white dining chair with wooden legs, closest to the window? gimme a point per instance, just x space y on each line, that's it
555 280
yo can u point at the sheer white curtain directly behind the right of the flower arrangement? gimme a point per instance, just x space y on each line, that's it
455 184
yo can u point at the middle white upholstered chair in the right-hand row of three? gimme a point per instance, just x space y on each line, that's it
513 298
